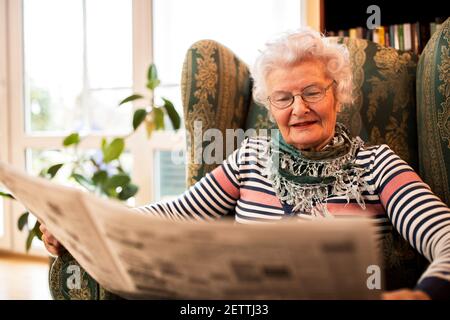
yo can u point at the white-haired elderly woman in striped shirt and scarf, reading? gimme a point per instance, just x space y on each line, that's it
313 168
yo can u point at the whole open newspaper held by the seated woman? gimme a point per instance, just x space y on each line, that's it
146 257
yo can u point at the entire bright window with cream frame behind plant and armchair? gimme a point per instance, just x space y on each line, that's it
64 66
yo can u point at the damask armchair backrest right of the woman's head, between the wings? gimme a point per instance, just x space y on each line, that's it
384 107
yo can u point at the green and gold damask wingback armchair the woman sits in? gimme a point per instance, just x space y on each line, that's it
216 89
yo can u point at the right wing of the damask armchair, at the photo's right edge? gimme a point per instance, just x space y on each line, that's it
433 112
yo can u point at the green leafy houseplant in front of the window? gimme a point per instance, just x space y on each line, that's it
102 172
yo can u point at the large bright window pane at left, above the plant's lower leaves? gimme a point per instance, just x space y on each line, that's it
65 66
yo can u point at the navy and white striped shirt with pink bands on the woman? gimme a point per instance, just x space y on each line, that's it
398 199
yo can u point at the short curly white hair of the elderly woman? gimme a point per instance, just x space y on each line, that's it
301 45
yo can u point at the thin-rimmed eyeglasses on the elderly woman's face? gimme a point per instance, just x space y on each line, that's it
311 94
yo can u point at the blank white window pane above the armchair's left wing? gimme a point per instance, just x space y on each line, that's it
243 26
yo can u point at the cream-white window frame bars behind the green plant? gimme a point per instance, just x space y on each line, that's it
14 138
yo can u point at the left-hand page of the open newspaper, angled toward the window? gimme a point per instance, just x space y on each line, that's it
62 210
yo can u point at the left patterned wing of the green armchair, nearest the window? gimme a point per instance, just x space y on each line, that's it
216 94
